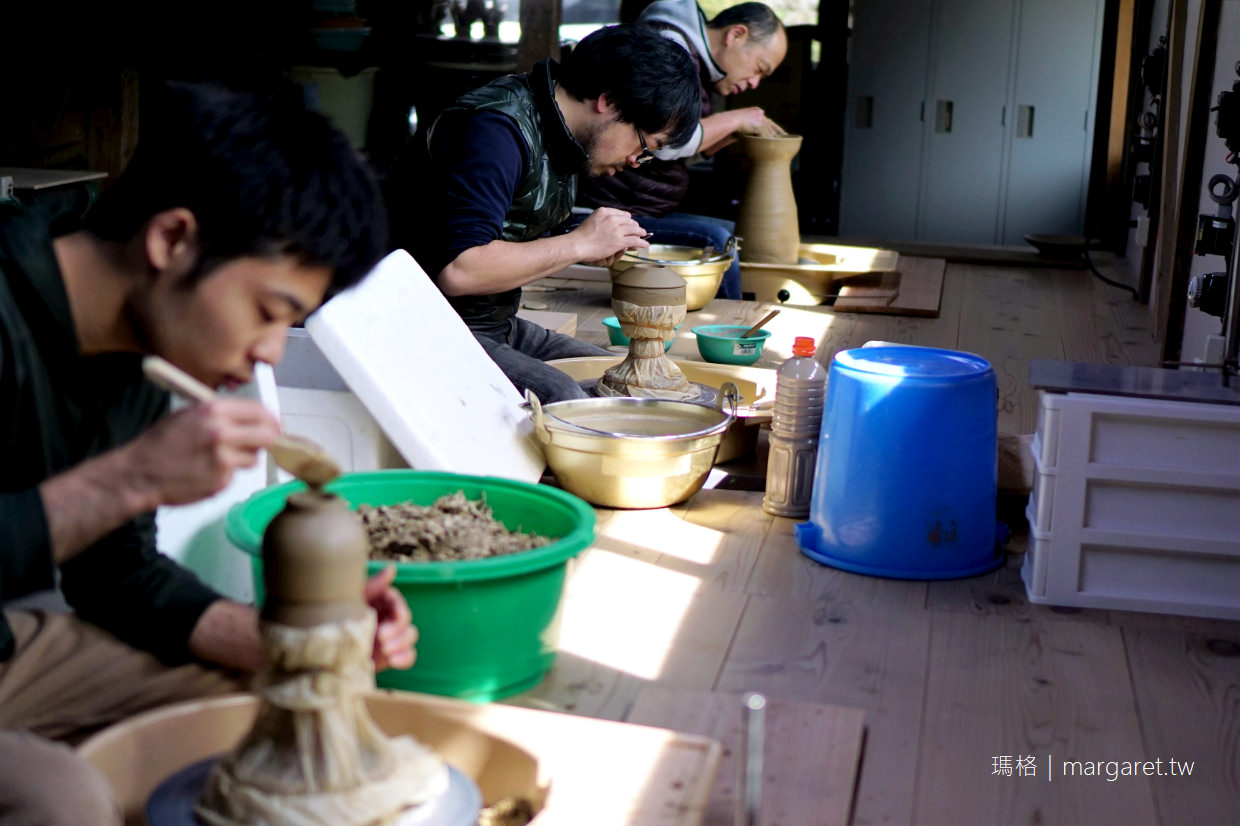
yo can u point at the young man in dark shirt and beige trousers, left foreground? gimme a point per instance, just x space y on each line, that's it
237 216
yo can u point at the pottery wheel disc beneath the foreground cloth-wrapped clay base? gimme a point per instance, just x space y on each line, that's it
173 802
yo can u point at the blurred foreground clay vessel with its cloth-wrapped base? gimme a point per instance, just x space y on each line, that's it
314 756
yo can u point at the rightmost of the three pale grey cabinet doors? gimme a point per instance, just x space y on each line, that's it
1052 120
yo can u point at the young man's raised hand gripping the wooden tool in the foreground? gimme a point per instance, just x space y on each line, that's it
193 455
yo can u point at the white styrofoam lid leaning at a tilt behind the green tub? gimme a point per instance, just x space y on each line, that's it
423 376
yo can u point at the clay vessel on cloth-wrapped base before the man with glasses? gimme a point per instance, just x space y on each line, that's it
649 303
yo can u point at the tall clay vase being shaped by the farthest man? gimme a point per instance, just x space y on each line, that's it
767 225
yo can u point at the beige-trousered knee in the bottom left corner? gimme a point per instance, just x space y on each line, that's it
46 784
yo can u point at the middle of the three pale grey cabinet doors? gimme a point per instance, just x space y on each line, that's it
963 154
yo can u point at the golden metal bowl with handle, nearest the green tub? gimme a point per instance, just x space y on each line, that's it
631 453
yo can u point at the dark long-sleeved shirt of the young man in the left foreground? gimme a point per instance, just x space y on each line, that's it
59 409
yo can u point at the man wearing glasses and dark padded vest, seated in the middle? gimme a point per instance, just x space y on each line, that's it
498 178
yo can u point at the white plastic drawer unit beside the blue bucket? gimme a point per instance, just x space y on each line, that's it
1135 505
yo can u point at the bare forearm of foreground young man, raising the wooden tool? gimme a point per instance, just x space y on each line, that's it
91 500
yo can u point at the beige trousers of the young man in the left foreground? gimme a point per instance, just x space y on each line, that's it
68 680
